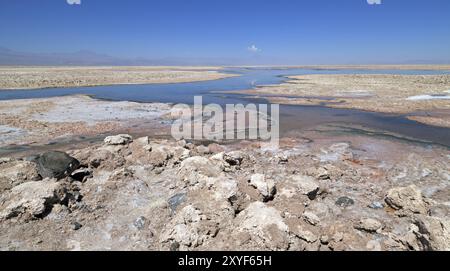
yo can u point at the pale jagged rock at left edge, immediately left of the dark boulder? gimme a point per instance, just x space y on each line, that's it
14 172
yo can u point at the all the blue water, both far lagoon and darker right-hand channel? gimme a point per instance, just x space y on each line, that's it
292 117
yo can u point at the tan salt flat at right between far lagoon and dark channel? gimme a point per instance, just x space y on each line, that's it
423 98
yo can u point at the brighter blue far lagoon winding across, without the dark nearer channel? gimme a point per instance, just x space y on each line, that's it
184 92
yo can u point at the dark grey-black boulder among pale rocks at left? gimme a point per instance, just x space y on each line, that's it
56 164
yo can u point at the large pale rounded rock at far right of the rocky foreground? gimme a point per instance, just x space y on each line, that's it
406 199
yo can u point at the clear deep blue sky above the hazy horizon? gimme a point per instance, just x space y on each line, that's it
289 31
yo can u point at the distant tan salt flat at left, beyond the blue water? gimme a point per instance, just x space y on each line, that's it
50 77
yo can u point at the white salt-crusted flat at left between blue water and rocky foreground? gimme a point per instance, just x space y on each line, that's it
42 121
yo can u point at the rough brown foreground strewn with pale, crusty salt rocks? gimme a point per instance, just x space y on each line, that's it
142 194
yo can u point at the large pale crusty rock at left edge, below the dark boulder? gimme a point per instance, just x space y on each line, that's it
32 199
